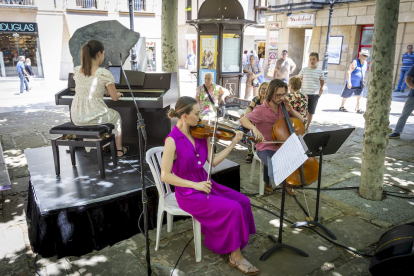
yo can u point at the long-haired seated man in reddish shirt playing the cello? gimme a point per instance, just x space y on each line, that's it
261 121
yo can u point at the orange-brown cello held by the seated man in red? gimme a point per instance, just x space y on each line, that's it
282 129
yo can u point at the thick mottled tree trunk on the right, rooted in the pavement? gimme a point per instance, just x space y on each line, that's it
379 99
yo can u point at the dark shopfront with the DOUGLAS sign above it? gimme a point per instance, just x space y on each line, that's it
17 39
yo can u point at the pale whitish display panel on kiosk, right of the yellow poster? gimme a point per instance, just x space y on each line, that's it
231 53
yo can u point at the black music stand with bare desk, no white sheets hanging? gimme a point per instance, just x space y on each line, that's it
319 144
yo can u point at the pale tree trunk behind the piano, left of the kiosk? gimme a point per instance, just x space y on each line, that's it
169 34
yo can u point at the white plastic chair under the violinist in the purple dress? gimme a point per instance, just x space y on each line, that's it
168 203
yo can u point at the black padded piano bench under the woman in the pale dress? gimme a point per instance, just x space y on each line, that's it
73 136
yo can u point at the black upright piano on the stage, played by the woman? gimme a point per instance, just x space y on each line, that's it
154 92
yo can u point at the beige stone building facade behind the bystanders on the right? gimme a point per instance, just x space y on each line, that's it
300 27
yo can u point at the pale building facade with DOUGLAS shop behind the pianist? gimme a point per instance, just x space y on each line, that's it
41 29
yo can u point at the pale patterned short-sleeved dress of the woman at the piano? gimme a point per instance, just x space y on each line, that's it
88 106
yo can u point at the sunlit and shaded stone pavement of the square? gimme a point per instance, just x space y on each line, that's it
25 121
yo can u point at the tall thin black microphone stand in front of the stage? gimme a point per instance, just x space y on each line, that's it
142 134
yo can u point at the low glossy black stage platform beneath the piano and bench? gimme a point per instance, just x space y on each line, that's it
79 212
